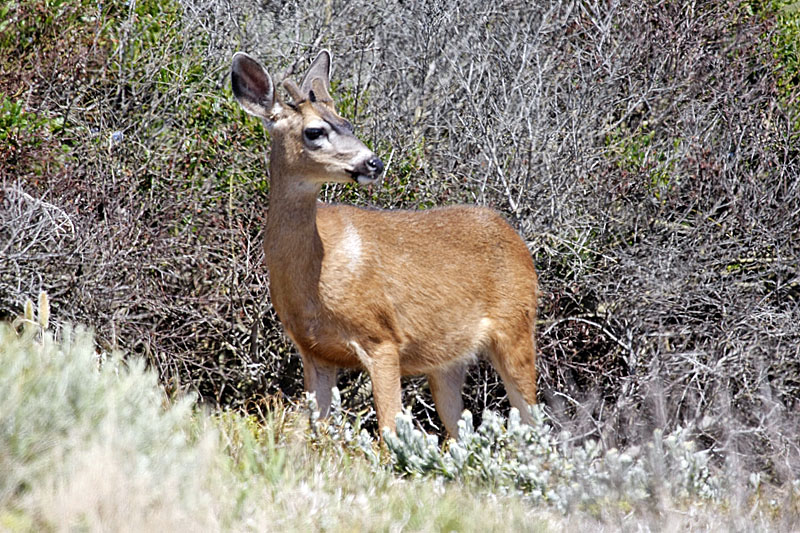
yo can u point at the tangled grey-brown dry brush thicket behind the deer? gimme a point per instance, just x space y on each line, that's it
647 151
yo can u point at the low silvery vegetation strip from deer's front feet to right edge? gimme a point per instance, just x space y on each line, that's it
666 479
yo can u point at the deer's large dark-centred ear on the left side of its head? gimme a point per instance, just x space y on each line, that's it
253 88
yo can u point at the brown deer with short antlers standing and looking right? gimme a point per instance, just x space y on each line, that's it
393 292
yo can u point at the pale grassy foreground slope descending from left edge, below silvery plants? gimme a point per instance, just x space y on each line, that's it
91 442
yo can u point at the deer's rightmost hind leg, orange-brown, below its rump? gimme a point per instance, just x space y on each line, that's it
514 358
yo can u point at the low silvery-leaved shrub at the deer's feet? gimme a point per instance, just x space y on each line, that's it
543 465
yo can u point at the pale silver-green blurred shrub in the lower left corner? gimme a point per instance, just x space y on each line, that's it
73 419
